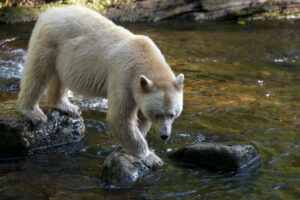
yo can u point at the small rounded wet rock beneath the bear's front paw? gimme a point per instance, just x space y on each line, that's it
123 170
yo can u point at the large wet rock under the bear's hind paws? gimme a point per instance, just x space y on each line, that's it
18 136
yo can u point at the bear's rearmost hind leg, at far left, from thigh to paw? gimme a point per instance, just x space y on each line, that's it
38 71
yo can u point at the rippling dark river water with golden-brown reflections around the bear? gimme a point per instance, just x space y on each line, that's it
242 85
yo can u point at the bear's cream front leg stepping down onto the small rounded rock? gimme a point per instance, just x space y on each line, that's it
126 131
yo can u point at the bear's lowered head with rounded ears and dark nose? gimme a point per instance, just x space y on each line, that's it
161 103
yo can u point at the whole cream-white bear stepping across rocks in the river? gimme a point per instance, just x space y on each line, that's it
78 49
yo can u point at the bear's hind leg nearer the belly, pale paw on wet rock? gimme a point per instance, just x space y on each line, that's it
56 98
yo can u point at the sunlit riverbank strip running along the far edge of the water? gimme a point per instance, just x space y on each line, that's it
157 10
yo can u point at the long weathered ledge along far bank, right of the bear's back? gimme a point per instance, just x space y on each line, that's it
157 10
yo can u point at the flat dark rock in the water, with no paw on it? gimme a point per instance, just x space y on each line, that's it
215 156
